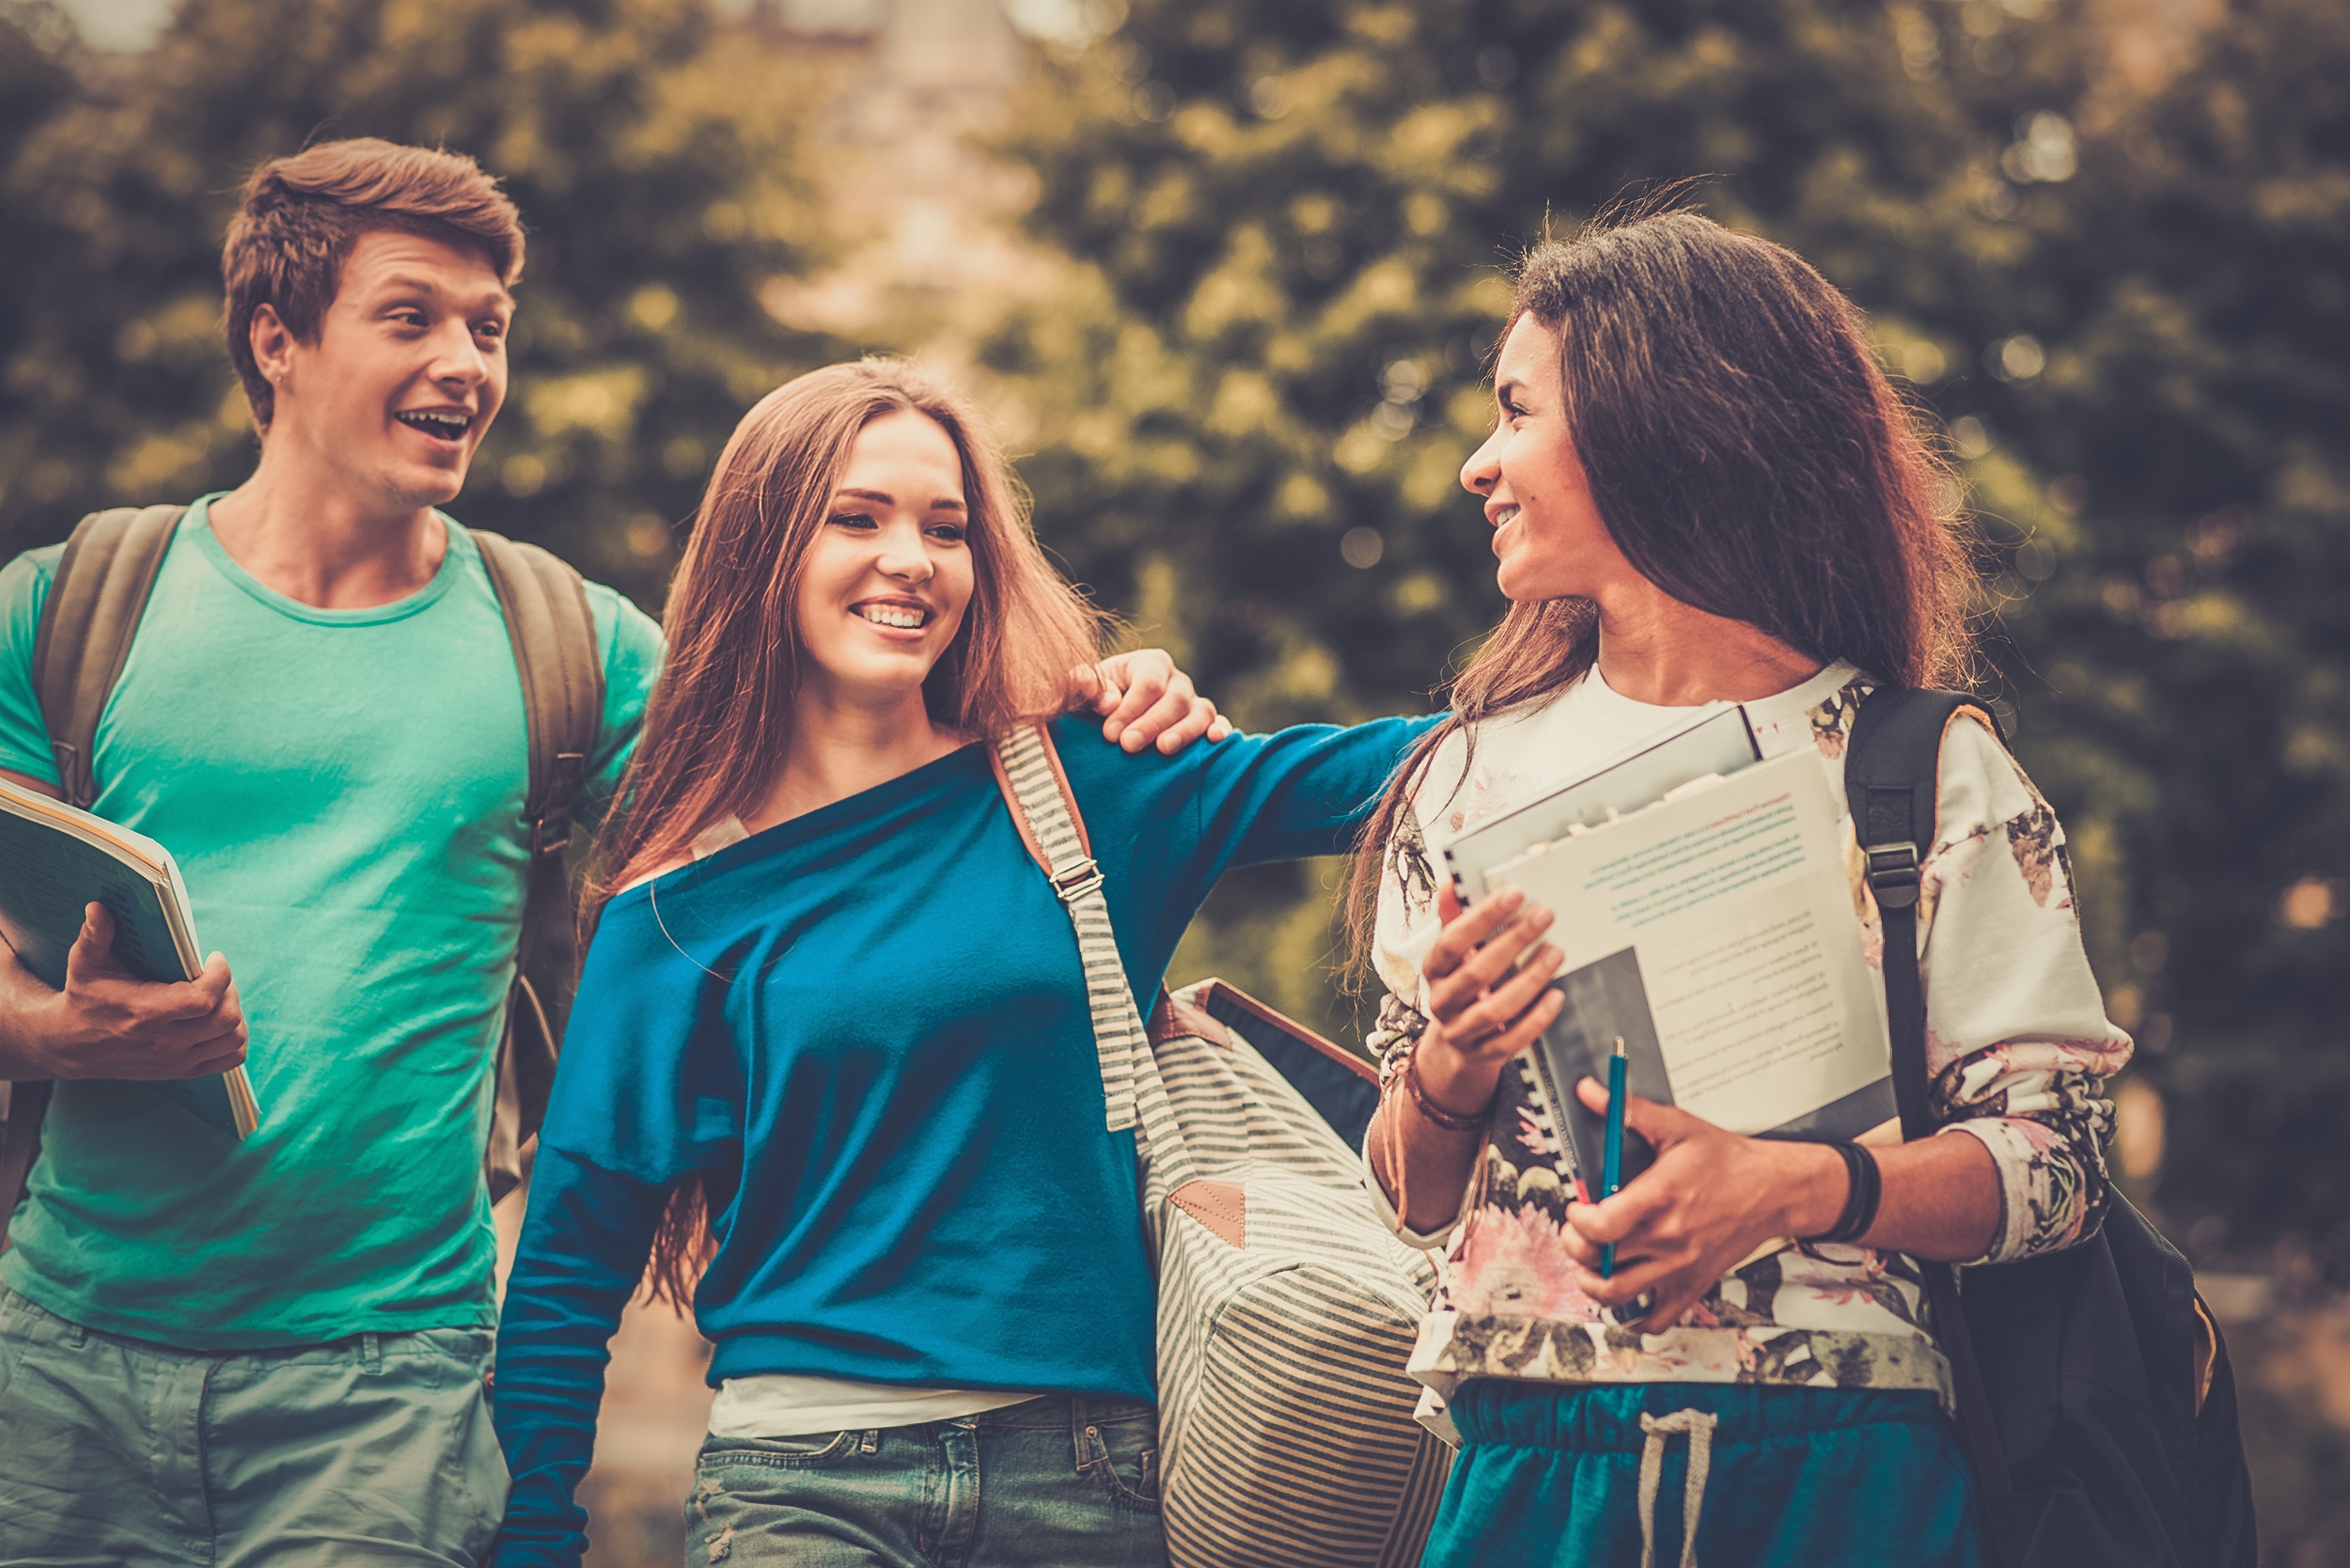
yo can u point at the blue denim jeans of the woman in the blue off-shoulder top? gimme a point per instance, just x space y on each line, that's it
1063 1482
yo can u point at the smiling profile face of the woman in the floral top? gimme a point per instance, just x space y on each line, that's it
1547 532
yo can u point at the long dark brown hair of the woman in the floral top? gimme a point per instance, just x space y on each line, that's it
1747 455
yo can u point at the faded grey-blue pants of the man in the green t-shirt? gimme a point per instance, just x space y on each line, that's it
372 1449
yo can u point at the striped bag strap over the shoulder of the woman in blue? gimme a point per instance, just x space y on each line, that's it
1045 812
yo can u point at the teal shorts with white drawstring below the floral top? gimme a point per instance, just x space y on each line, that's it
1550 1477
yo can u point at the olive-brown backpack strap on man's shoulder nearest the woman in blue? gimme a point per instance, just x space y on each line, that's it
563 704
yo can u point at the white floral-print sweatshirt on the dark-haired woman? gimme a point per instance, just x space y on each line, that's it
2017 1050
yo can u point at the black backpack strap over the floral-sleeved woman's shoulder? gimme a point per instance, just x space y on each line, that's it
1893 779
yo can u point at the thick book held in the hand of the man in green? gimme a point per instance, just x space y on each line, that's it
53 864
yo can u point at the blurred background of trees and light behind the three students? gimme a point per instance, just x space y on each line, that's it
1226 272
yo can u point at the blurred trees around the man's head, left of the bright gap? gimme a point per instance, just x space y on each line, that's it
657 163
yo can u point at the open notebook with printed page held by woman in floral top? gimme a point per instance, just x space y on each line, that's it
1714 934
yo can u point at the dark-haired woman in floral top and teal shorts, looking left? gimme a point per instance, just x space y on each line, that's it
1703 490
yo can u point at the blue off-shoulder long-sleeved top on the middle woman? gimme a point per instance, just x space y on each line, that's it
875 1014
